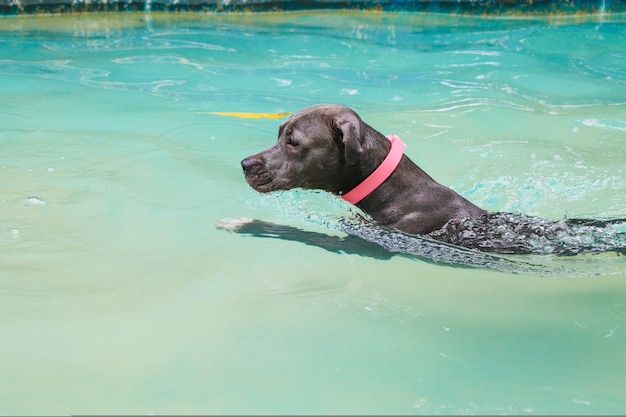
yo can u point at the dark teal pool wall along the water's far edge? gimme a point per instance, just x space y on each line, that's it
506 7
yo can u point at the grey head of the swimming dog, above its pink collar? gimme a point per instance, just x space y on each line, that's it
319 147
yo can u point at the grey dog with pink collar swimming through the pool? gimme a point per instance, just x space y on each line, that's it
329 147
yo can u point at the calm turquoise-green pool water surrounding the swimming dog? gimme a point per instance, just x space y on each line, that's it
118 294
